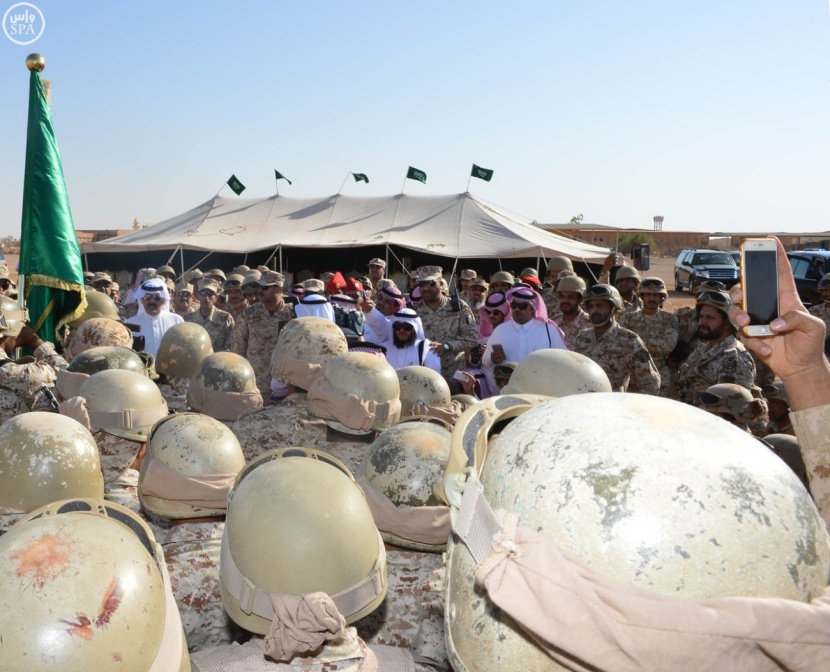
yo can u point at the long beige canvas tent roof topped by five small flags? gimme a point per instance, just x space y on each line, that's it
456 225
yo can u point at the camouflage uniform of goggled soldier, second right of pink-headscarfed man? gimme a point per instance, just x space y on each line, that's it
623 357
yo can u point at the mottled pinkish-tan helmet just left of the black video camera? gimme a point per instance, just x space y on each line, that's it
303 349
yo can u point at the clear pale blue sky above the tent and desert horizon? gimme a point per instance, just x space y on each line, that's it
712 114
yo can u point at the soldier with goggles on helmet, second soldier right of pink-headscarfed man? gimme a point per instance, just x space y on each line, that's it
620 352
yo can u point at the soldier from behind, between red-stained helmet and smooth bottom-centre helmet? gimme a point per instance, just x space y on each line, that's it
191 463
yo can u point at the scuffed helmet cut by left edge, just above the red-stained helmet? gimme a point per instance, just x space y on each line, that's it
46 457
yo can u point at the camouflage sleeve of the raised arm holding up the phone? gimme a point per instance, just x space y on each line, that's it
811 427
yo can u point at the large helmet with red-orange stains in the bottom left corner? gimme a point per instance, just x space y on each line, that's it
84 586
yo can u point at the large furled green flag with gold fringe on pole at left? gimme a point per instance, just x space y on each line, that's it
50 259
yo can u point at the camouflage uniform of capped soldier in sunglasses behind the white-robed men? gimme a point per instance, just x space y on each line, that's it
455 327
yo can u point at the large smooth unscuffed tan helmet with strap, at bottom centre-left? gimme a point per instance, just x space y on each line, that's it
298 523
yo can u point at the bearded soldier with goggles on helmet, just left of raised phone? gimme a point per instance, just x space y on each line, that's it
720 357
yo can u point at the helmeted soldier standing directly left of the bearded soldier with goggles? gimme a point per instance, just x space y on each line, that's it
656 327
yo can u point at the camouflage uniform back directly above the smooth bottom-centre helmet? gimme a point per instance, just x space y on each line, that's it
289 424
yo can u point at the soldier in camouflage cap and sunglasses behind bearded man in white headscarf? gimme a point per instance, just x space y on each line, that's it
448 323
